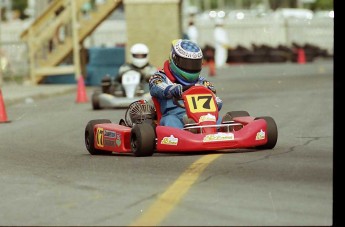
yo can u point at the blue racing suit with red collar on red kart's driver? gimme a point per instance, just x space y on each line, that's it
161 84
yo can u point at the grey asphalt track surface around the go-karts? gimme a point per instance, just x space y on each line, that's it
48 177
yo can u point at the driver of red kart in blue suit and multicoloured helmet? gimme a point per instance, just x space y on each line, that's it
182 69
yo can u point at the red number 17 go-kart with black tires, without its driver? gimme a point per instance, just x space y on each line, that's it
140 134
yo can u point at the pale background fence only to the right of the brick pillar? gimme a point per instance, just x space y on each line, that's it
272 31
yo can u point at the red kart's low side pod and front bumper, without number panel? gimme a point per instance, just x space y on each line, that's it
116 138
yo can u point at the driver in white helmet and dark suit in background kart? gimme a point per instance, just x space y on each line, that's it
139 61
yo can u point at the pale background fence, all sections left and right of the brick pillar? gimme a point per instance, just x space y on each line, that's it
258 31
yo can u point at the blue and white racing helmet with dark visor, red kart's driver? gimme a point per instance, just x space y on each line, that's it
185 61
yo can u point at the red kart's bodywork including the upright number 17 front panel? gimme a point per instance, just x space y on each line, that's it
201 106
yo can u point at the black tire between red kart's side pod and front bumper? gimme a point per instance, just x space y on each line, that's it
143 140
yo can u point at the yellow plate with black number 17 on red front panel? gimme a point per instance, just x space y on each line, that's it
201 103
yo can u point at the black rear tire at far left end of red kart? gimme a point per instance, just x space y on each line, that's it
90 137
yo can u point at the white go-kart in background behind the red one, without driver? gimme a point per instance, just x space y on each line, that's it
132 91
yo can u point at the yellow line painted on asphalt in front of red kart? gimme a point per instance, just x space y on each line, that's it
168 200
